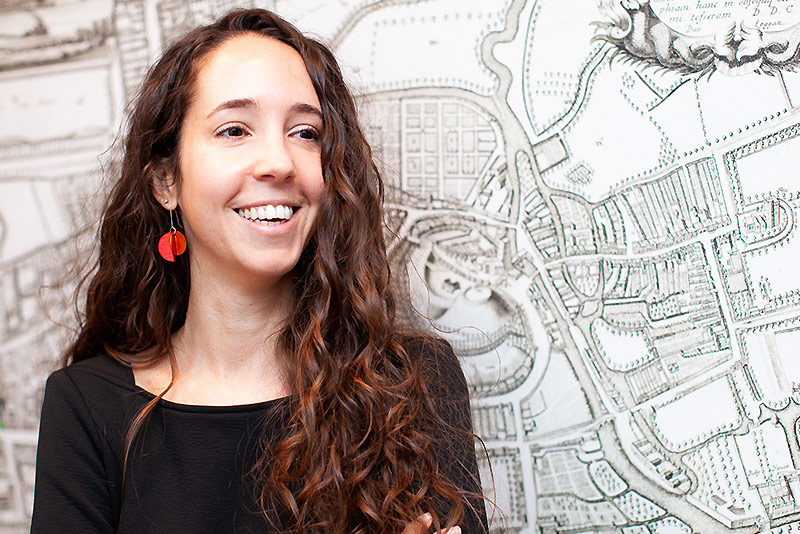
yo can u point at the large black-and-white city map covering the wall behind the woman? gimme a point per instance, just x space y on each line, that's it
595 201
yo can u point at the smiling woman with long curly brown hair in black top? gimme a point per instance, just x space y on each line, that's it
257 382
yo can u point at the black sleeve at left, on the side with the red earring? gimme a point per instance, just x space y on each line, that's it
72 492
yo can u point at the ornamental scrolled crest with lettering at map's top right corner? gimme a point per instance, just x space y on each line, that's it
733 37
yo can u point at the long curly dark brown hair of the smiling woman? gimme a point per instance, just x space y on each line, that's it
358 455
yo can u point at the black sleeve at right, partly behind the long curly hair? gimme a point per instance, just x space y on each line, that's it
457 460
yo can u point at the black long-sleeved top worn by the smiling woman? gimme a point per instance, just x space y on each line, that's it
188 472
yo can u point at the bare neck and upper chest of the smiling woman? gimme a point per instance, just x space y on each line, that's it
227 351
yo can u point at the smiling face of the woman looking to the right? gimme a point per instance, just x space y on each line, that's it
250 172
